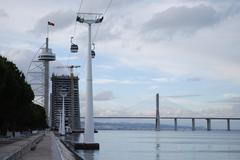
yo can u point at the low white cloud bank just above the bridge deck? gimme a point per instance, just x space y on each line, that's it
168 108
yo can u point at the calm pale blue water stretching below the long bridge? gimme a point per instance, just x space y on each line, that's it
165 145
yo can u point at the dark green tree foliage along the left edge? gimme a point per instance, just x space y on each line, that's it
17 112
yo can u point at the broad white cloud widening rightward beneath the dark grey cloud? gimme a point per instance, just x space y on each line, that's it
209 54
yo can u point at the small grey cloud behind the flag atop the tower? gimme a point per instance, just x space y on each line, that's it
61 19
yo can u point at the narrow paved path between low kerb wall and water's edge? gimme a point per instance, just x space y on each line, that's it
47 149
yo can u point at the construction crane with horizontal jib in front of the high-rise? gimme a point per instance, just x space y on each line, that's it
72 120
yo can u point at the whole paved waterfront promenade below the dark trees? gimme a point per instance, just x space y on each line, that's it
38 147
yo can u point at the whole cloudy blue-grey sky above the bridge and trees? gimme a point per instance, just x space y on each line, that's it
185 50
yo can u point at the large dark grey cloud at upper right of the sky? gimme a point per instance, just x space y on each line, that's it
181 20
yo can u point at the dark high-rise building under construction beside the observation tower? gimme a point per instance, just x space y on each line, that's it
59 83
